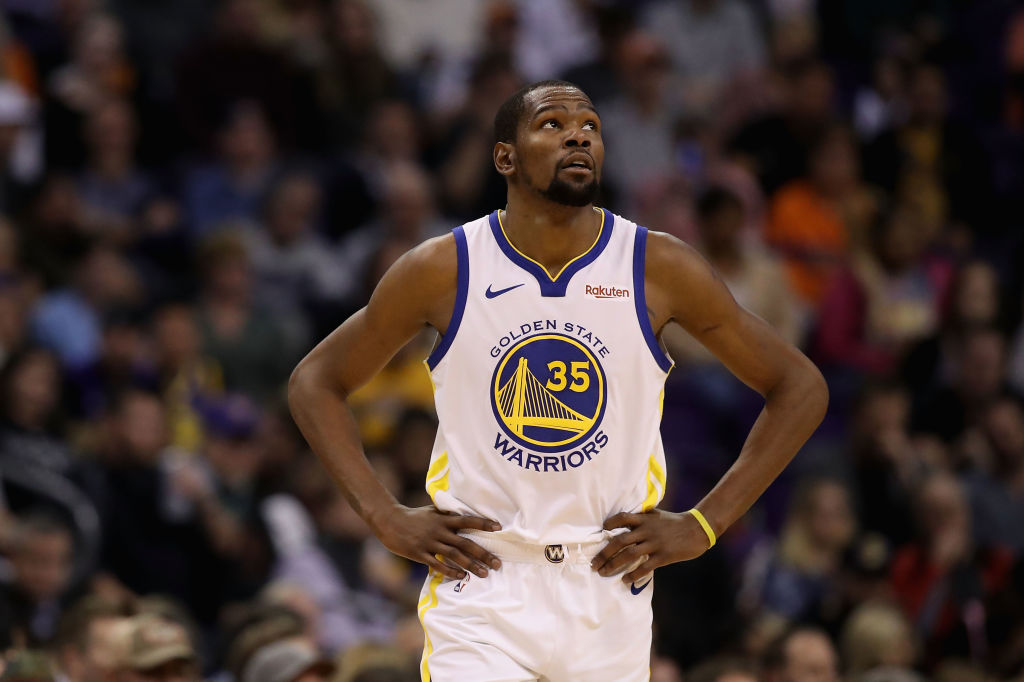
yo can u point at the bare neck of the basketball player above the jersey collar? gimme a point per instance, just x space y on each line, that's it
550 234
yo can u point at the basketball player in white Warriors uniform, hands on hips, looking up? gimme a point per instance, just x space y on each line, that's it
548 465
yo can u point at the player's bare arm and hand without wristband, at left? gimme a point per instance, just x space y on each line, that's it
419 290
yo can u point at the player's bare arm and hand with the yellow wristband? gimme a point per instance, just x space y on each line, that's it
681 287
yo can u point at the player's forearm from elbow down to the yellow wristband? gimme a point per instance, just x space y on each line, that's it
793 410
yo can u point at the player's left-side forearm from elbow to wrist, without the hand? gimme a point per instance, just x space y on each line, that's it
327 422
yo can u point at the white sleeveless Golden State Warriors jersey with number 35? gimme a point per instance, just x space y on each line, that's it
548 390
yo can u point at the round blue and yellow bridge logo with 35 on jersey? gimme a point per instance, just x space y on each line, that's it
549 393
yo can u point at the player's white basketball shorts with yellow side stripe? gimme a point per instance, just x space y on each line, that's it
544 616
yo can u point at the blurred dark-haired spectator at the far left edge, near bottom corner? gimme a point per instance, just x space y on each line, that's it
41 562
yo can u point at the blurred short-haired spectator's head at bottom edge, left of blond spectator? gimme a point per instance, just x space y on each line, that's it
801 655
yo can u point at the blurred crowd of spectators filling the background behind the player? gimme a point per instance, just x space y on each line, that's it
194 193
